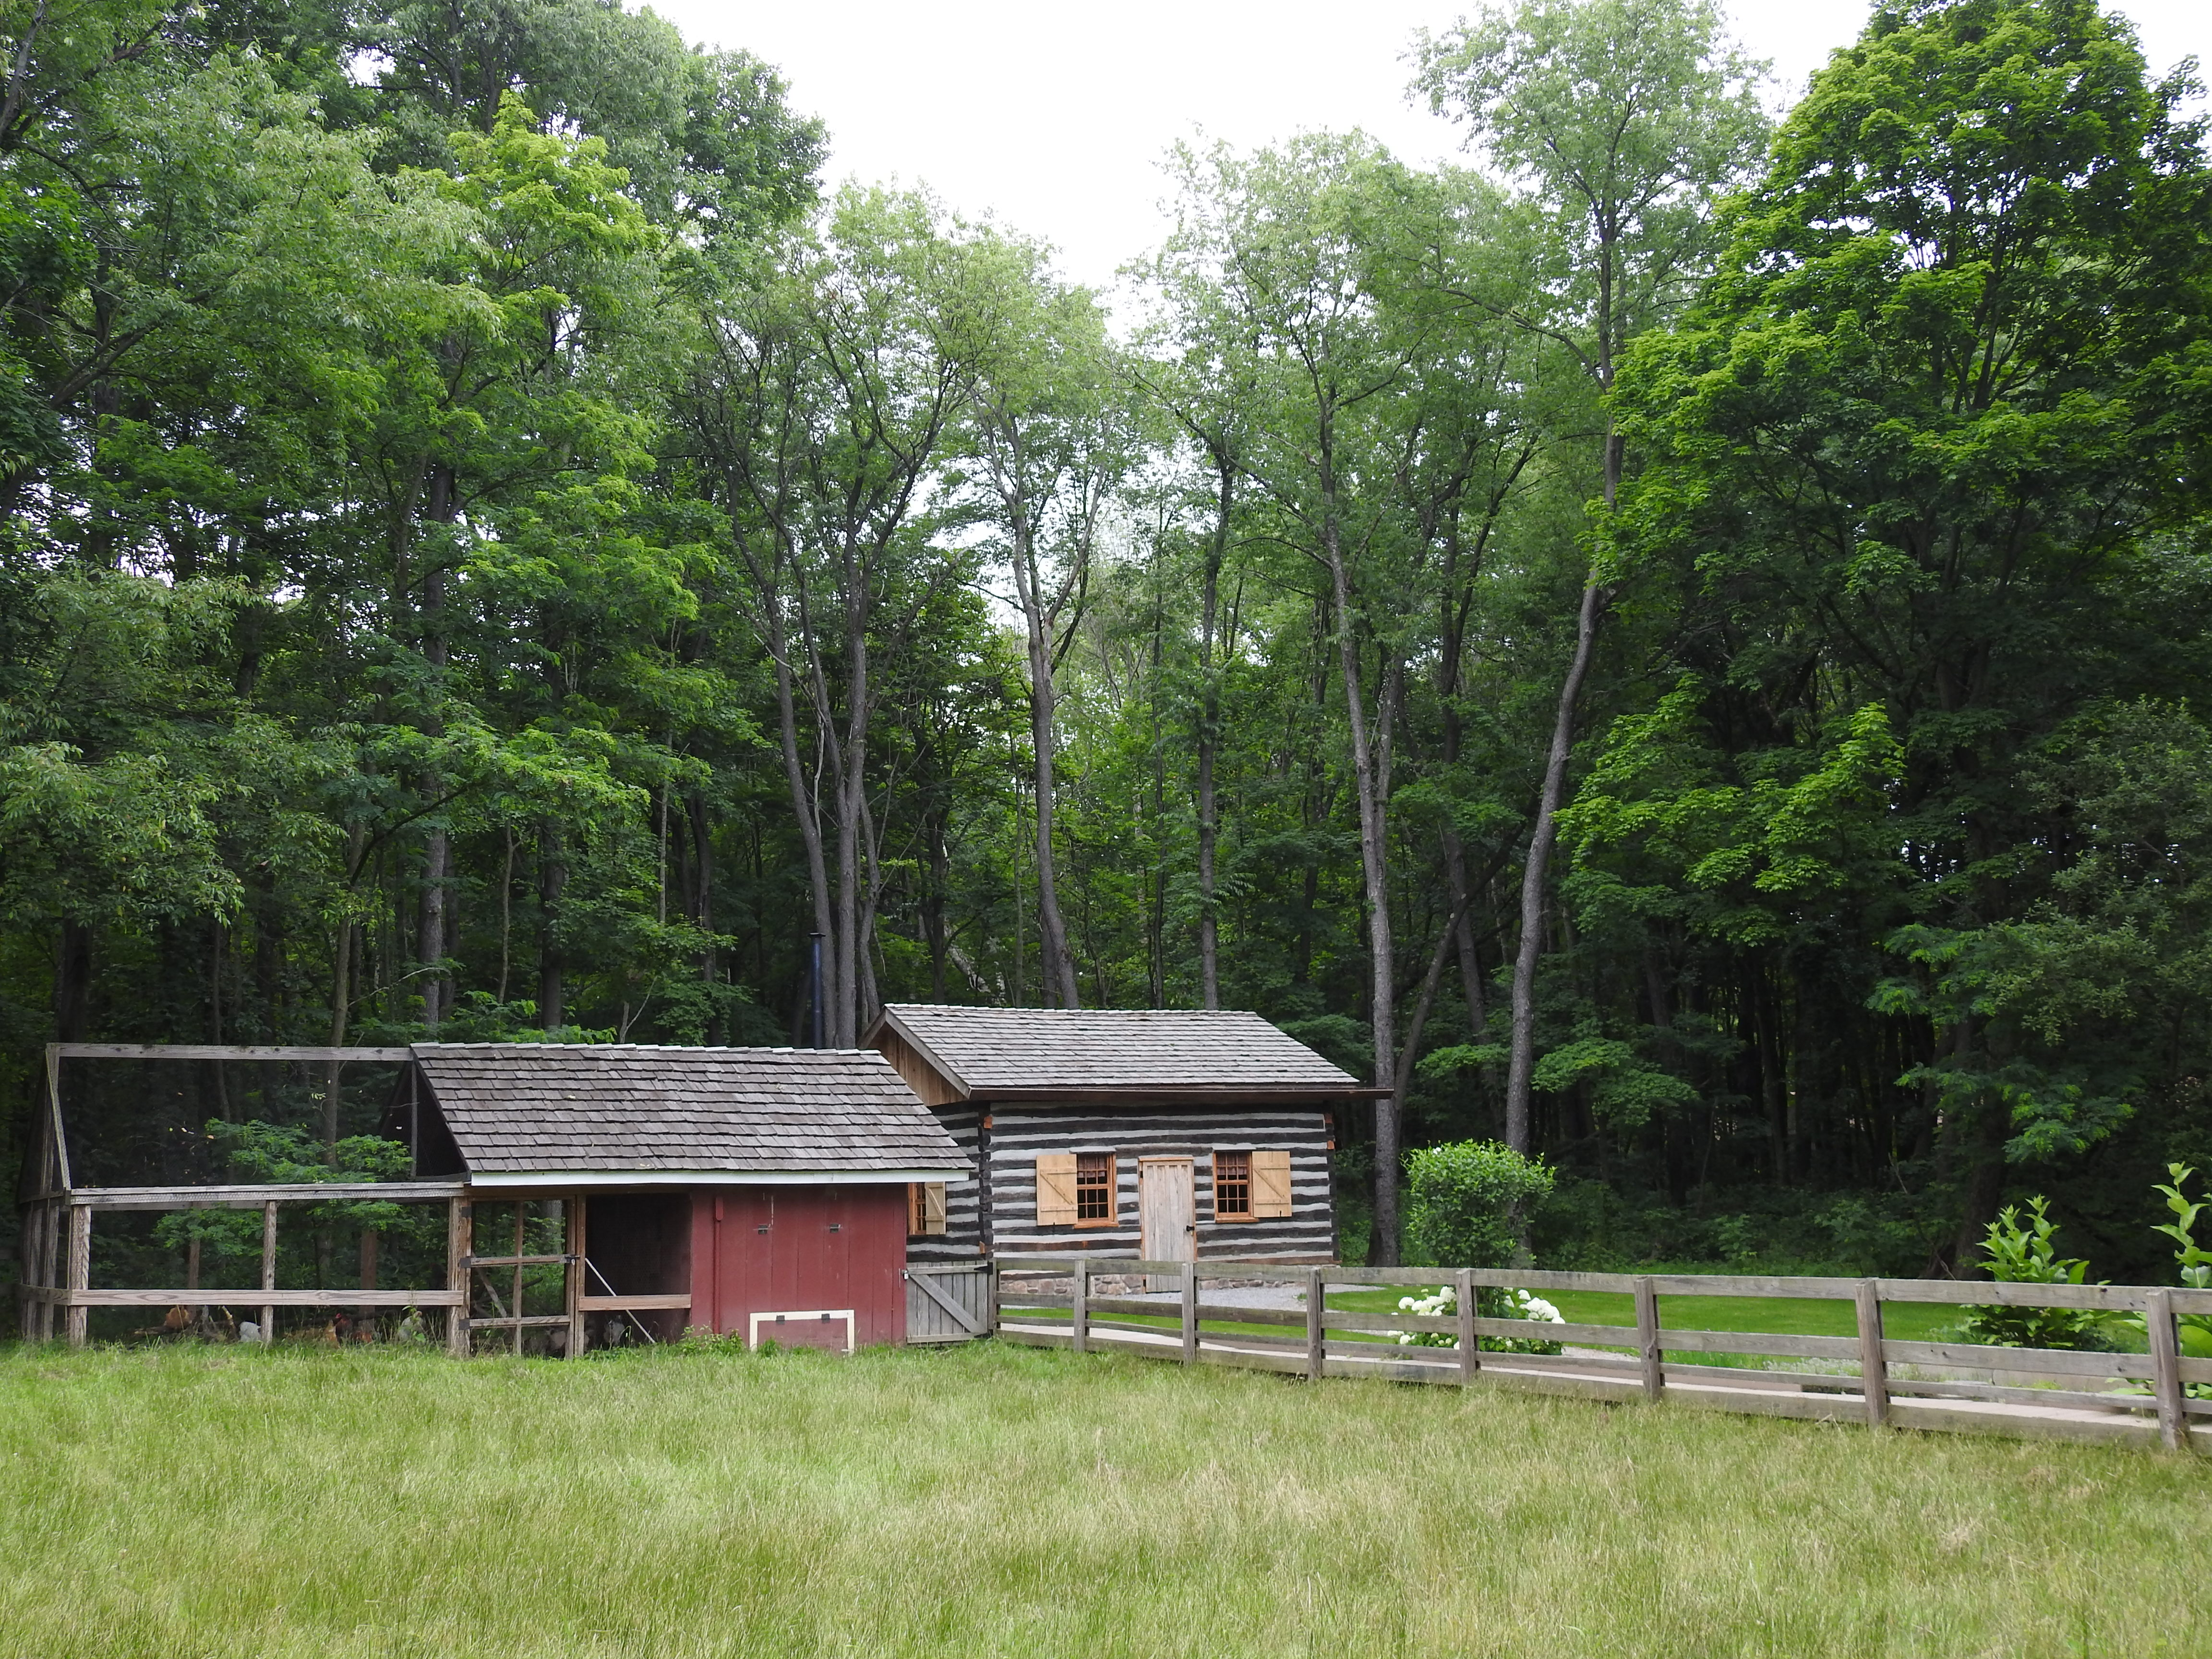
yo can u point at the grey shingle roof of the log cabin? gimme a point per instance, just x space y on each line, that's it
1094 1052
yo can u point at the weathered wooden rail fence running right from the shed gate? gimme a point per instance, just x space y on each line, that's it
1868 1377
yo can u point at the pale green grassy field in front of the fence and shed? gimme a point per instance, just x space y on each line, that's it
1001 1501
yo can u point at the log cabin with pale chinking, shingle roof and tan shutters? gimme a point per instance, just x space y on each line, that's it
1147 1134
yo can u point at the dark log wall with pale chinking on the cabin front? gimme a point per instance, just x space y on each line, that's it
1021 1134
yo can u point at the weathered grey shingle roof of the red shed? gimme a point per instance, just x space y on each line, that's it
528 1107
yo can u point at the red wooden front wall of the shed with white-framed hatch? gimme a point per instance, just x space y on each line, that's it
802 1251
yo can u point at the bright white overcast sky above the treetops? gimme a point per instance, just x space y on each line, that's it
1054 118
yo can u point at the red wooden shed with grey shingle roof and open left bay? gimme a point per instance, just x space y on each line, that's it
751 1191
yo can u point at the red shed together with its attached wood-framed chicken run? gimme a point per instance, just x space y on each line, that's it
828 1145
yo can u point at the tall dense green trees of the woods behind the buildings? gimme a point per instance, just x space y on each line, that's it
1671 645
